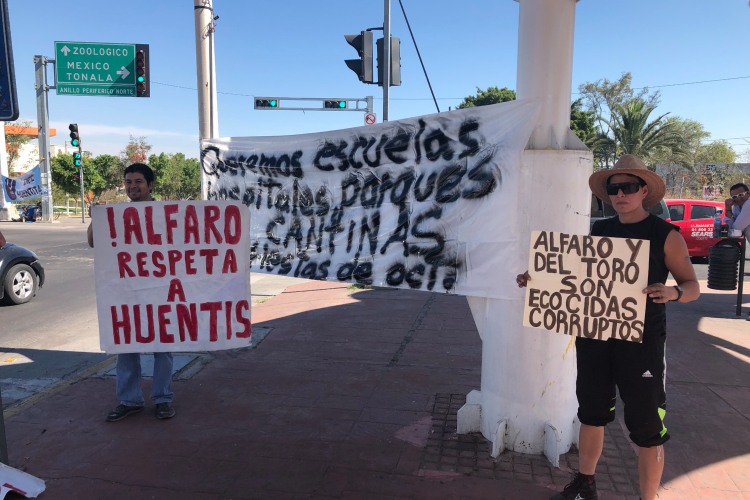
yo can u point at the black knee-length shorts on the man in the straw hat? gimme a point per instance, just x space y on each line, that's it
638 370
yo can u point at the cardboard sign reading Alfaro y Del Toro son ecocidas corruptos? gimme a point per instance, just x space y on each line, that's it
587 286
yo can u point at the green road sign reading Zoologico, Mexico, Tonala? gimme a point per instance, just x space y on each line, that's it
96 69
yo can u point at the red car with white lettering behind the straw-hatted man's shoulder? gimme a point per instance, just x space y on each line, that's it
695 219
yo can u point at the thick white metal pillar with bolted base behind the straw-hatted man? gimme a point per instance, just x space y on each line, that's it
527 401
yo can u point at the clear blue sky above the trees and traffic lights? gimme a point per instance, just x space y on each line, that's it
297 48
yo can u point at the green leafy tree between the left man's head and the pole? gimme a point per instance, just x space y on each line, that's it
176 177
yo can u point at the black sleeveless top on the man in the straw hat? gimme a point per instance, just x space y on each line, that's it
655 230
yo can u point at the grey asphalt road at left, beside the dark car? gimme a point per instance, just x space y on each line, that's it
56 336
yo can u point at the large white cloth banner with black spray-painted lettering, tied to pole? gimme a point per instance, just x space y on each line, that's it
426 203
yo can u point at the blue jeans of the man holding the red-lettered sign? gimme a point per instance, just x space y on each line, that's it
129 379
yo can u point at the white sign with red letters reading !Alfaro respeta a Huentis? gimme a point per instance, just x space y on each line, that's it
172 276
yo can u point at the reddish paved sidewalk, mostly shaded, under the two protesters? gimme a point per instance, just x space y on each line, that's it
353 395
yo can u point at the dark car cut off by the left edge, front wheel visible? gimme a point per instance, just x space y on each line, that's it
21 274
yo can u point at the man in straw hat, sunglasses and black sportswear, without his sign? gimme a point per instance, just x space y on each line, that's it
638 370
